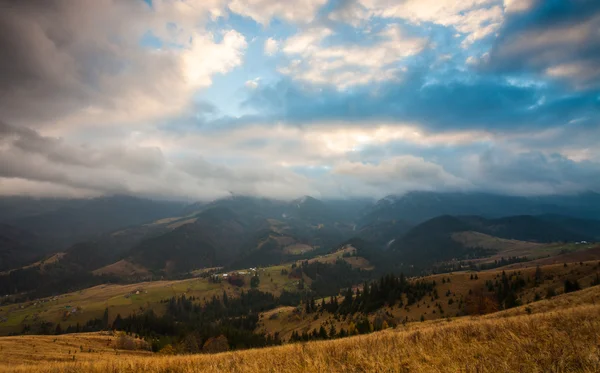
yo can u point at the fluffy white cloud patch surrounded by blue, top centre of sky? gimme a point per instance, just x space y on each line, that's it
346 65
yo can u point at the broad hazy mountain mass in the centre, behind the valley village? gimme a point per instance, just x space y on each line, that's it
245 231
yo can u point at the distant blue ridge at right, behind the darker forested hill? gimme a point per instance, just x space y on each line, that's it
420 206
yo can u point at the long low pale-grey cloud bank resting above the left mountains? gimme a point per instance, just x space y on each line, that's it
31 160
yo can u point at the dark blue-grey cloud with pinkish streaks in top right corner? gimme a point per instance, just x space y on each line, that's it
556 39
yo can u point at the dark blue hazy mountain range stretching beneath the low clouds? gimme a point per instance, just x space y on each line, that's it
172 238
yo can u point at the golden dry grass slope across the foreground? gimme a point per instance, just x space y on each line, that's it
562 337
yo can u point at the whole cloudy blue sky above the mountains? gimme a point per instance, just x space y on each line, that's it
201 99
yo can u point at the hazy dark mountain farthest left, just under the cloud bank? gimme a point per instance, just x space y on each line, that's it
87 218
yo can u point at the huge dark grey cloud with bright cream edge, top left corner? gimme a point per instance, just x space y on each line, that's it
83 63
